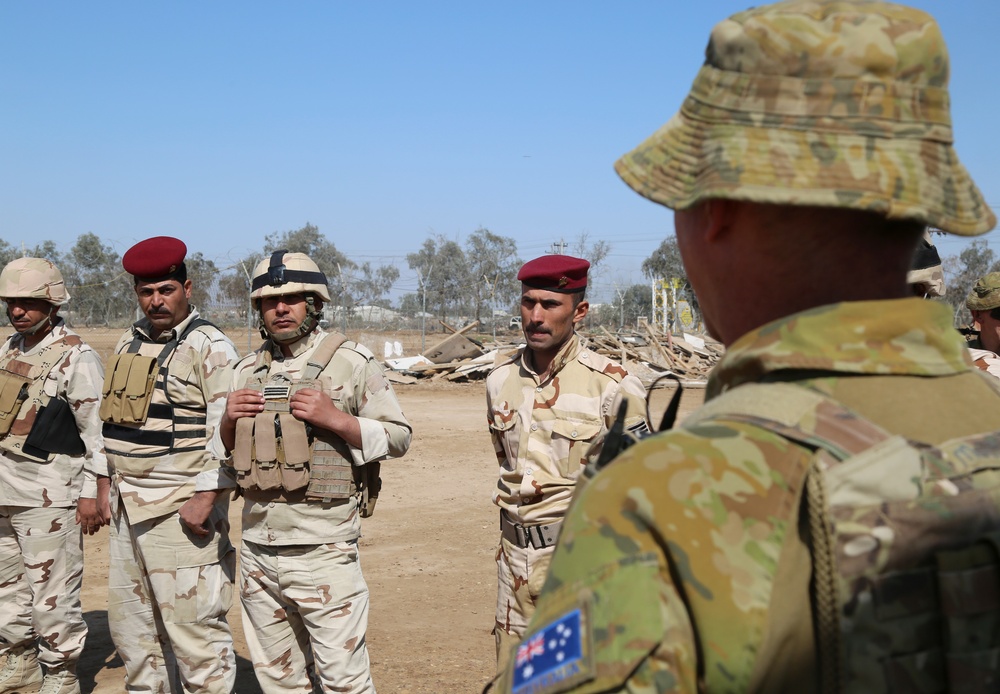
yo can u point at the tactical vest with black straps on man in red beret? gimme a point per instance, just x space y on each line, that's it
141 422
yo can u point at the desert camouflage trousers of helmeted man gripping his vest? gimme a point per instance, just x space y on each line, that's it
305 614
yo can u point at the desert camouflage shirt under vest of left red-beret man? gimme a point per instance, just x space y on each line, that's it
199 371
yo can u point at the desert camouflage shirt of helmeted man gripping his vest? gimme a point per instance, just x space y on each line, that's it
360 388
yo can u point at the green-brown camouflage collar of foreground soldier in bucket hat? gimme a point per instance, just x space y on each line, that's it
911 337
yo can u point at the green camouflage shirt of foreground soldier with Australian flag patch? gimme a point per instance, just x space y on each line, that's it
716 507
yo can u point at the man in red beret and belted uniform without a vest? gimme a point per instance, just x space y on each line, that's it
548 404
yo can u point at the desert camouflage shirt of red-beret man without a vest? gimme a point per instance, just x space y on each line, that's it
542 425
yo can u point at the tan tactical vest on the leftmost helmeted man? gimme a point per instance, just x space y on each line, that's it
22 396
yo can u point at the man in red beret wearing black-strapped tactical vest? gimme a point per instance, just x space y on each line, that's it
172 565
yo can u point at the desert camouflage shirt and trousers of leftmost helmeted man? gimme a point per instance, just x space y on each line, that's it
41 545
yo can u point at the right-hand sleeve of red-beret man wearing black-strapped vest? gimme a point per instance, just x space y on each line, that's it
218 359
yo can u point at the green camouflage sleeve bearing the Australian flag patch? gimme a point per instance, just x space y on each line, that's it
685 523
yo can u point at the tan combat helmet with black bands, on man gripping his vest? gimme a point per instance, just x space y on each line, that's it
287 273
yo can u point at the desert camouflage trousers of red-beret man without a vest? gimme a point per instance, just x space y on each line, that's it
520 575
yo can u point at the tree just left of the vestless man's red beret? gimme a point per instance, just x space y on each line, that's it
492 267
